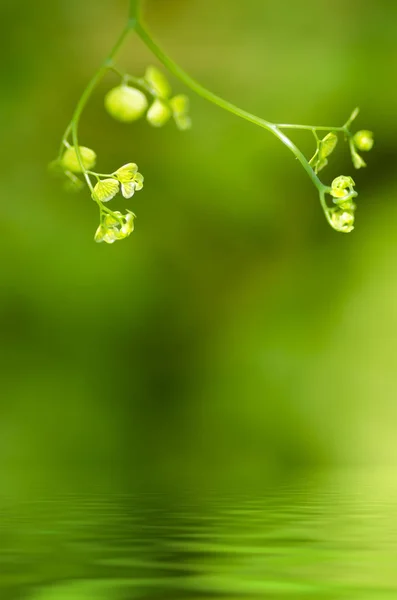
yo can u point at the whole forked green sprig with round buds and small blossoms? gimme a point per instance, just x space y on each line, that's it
151 96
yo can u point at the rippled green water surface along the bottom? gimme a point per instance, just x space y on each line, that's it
319 537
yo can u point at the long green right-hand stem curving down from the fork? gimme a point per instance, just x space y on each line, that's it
207 95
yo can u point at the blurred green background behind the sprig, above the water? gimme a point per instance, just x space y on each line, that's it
234 336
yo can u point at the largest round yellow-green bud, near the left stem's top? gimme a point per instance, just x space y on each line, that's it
125 103
